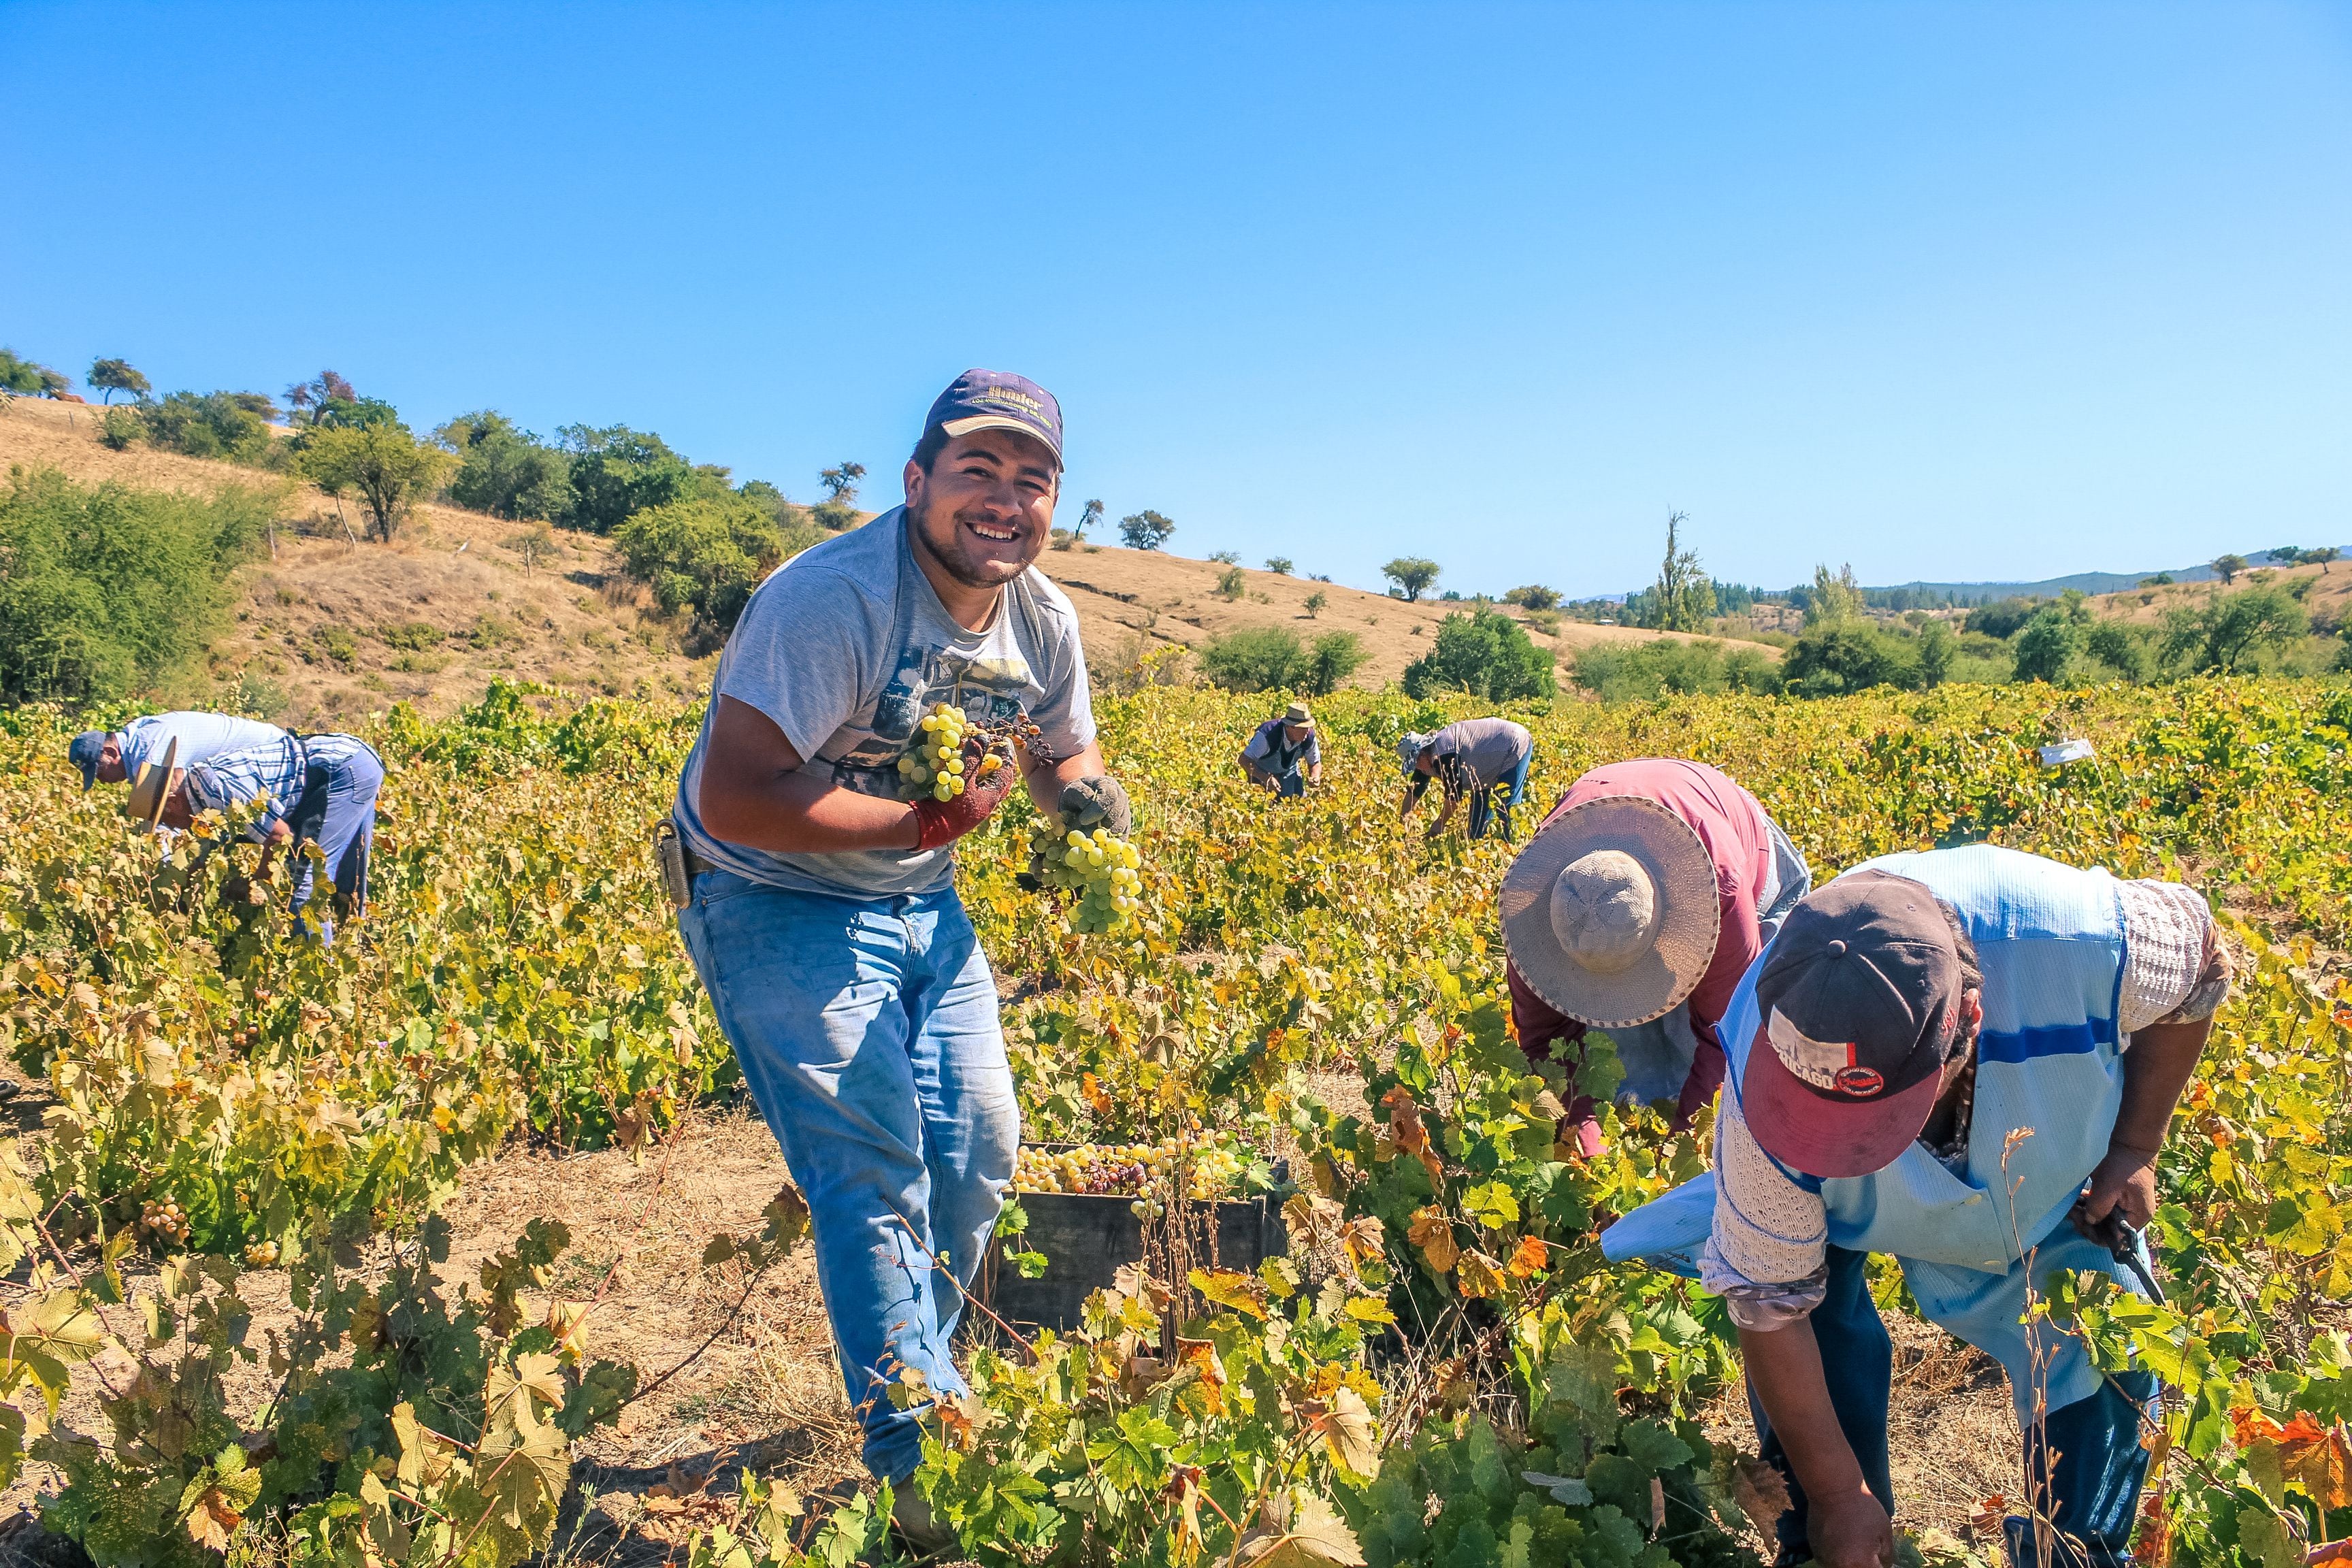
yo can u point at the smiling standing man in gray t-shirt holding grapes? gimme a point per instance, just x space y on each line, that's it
822 911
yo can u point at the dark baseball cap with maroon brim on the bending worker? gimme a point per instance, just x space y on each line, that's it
1859 1010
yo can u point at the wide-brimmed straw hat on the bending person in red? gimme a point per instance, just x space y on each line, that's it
1612 913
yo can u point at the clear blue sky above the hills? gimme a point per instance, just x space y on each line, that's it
1944 290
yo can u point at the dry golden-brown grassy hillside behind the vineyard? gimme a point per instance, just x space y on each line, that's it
335 629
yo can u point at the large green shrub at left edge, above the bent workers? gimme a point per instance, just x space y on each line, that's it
109 589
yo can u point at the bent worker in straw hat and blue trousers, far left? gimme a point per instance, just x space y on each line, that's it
314 791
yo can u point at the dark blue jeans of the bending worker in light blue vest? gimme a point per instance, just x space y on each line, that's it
2092 1492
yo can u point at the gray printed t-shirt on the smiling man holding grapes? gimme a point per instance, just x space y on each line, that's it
846 648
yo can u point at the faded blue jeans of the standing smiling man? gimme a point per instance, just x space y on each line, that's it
869 1038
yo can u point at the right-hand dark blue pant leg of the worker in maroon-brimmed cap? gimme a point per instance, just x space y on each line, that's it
2085 1466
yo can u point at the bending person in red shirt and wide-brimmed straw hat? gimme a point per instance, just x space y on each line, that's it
1636 909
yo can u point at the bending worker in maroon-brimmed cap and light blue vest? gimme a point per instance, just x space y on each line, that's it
1965 1059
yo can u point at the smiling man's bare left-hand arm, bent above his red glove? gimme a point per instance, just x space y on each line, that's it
754 793
